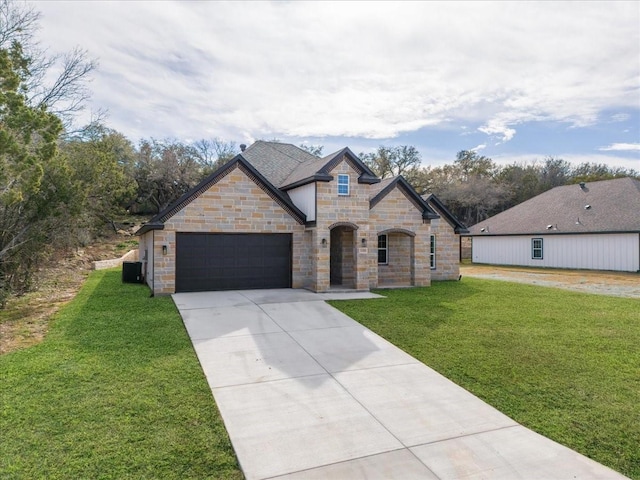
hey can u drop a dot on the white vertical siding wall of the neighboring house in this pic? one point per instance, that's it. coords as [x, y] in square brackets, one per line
[593, 252]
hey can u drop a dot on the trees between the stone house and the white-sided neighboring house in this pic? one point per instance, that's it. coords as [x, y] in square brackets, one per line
[474, 187]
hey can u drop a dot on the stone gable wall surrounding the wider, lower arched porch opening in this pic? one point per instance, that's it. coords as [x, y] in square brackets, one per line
[397, 212]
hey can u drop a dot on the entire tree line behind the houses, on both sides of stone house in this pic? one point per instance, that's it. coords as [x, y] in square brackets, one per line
[61, 185]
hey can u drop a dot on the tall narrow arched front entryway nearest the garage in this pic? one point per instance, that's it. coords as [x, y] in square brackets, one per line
[342, 262]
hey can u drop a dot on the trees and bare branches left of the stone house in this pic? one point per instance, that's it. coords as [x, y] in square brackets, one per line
[60, 184]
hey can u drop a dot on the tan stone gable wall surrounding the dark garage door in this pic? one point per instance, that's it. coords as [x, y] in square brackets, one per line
[233, 205]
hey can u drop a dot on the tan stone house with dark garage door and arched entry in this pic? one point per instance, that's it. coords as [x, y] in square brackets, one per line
[276, 216]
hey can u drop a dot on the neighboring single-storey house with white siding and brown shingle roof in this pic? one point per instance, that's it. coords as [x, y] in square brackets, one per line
[594, 226]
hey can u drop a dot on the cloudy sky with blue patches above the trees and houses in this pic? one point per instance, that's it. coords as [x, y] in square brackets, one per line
[514, 81]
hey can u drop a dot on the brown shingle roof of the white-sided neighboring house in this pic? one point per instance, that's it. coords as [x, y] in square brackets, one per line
[597, 207]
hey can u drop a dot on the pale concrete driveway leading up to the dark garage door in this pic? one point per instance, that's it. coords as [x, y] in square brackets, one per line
[308, 393]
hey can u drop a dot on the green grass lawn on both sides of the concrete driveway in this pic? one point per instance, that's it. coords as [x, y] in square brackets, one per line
[115, 389]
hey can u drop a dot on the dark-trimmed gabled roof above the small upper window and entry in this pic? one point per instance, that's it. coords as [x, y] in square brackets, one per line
[320, 168]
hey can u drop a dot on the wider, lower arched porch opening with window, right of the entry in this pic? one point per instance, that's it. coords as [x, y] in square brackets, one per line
[396, 258]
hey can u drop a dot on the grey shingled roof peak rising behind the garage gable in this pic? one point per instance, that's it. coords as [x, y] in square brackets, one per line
[275, 160]
